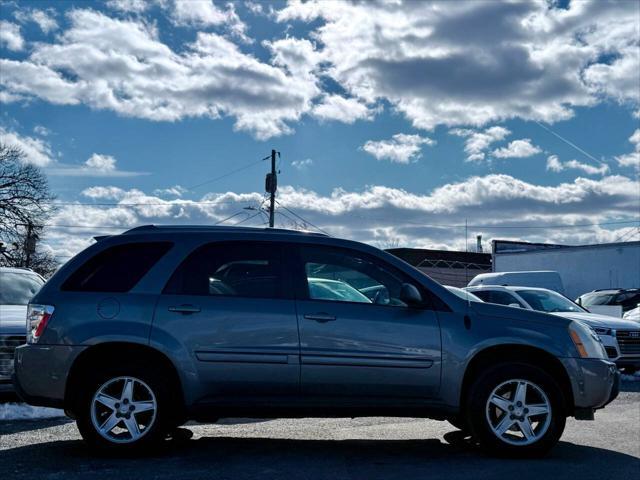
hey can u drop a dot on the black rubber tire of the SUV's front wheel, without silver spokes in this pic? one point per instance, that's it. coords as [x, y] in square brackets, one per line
[478, 420]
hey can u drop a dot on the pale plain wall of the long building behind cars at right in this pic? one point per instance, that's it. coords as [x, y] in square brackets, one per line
[582, 269]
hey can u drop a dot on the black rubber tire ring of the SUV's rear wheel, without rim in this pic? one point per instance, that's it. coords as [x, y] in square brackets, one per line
[164, 420]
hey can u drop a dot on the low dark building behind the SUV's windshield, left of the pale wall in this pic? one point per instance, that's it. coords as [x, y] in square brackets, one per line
[446, 266]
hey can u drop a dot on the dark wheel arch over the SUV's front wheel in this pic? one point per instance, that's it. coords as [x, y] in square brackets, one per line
[517, 353]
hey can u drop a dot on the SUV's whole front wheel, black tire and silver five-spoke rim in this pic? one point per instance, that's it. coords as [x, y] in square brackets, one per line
[516, 410]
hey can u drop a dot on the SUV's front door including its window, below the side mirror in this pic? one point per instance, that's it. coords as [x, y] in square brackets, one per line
[358, 339]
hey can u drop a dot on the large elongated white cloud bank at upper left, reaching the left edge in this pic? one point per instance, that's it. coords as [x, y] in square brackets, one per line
[121, 65]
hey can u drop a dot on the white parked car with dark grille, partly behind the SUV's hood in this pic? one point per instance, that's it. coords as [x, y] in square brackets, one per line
[621, 338]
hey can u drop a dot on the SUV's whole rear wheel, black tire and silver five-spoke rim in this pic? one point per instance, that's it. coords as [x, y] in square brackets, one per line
[124, 407]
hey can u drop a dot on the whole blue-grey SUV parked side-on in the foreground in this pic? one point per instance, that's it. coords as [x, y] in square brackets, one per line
[146, 330]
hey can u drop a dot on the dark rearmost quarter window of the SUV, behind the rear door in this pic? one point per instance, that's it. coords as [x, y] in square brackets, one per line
[116, 269]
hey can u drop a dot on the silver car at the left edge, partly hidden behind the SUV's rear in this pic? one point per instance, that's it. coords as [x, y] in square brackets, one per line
[17, 287]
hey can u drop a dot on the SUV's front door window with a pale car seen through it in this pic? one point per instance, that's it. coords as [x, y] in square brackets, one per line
[340, 275]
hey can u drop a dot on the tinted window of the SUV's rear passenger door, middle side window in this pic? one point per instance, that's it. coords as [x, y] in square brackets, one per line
[242, 269]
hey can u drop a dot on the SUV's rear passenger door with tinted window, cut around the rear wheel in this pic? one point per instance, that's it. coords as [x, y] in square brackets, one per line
[230, 305]
